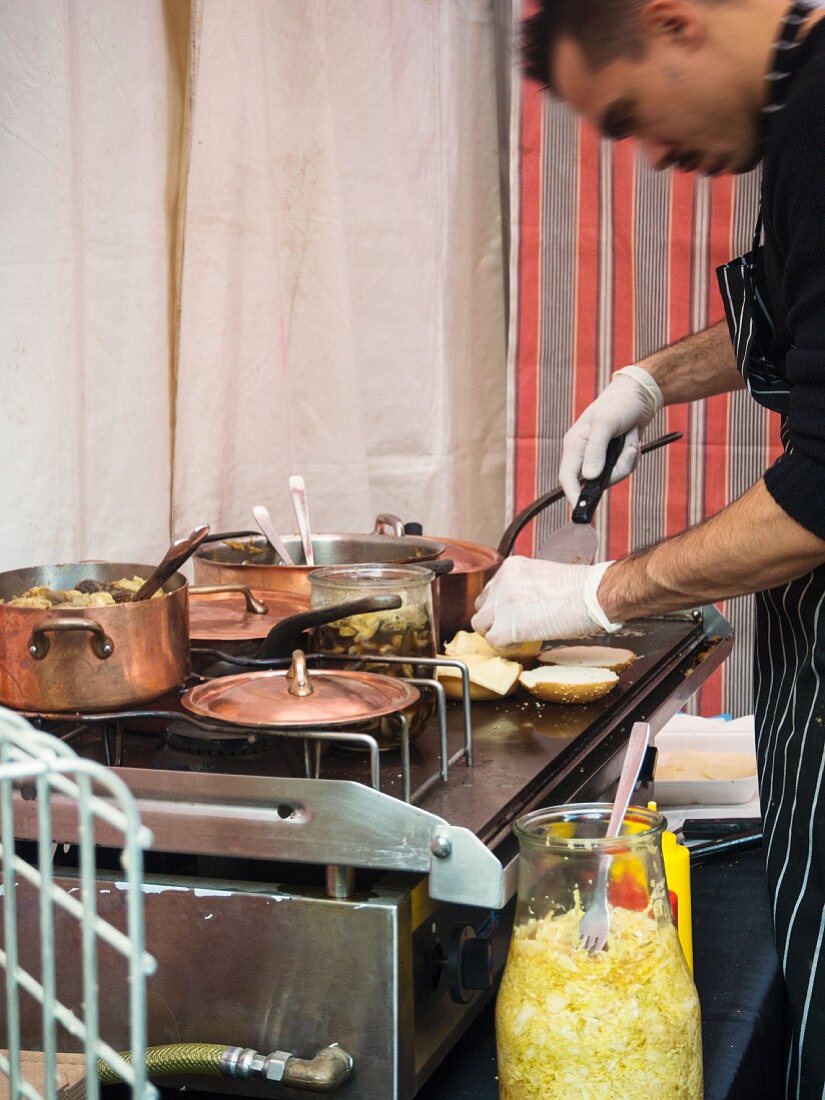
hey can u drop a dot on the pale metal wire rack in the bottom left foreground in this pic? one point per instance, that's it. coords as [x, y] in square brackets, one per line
[40, 765]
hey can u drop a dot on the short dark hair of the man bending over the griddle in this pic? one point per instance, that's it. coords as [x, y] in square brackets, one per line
[603, 29]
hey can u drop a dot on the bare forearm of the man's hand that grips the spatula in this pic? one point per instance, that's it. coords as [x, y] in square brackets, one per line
[698, 367]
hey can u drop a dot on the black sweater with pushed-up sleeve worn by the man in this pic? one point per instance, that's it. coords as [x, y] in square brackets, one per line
[794, 281]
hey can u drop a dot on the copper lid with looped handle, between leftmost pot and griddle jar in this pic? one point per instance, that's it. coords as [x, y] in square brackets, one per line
[235, 613]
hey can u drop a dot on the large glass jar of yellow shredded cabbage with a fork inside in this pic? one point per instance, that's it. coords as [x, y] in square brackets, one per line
[617, 1025]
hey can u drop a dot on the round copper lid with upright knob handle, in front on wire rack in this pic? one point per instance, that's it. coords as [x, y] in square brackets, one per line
[298, 699]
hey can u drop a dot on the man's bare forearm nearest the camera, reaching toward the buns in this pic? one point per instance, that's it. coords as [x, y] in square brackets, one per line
[750, 546]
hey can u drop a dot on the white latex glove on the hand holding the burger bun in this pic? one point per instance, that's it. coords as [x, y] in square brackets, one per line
[531, 600]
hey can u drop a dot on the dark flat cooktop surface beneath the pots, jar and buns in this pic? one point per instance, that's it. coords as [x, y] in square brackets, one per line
[523, 747]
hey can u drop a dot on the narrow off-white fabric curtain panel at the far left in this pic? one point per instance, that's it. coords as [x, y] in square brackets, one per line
[89, 117]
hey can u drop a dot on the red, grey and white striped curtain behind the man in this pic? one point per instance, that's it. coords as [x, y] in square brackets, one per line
[612, 261]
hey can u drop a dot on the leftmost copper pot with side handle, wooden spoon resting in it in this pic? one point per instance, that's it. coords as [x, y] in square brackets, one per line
[91, 658]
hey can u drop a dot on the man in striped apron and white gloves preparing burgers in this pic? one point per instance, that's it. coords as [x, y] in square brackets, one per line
[717, 86]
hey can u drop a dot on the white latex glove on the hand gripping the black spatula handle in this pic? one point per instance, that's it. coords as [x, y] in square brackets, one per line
[628, 405]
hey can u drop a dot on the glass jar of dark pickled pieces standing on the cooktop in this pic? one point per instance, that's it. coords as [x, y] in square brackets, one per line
[410, 631]
